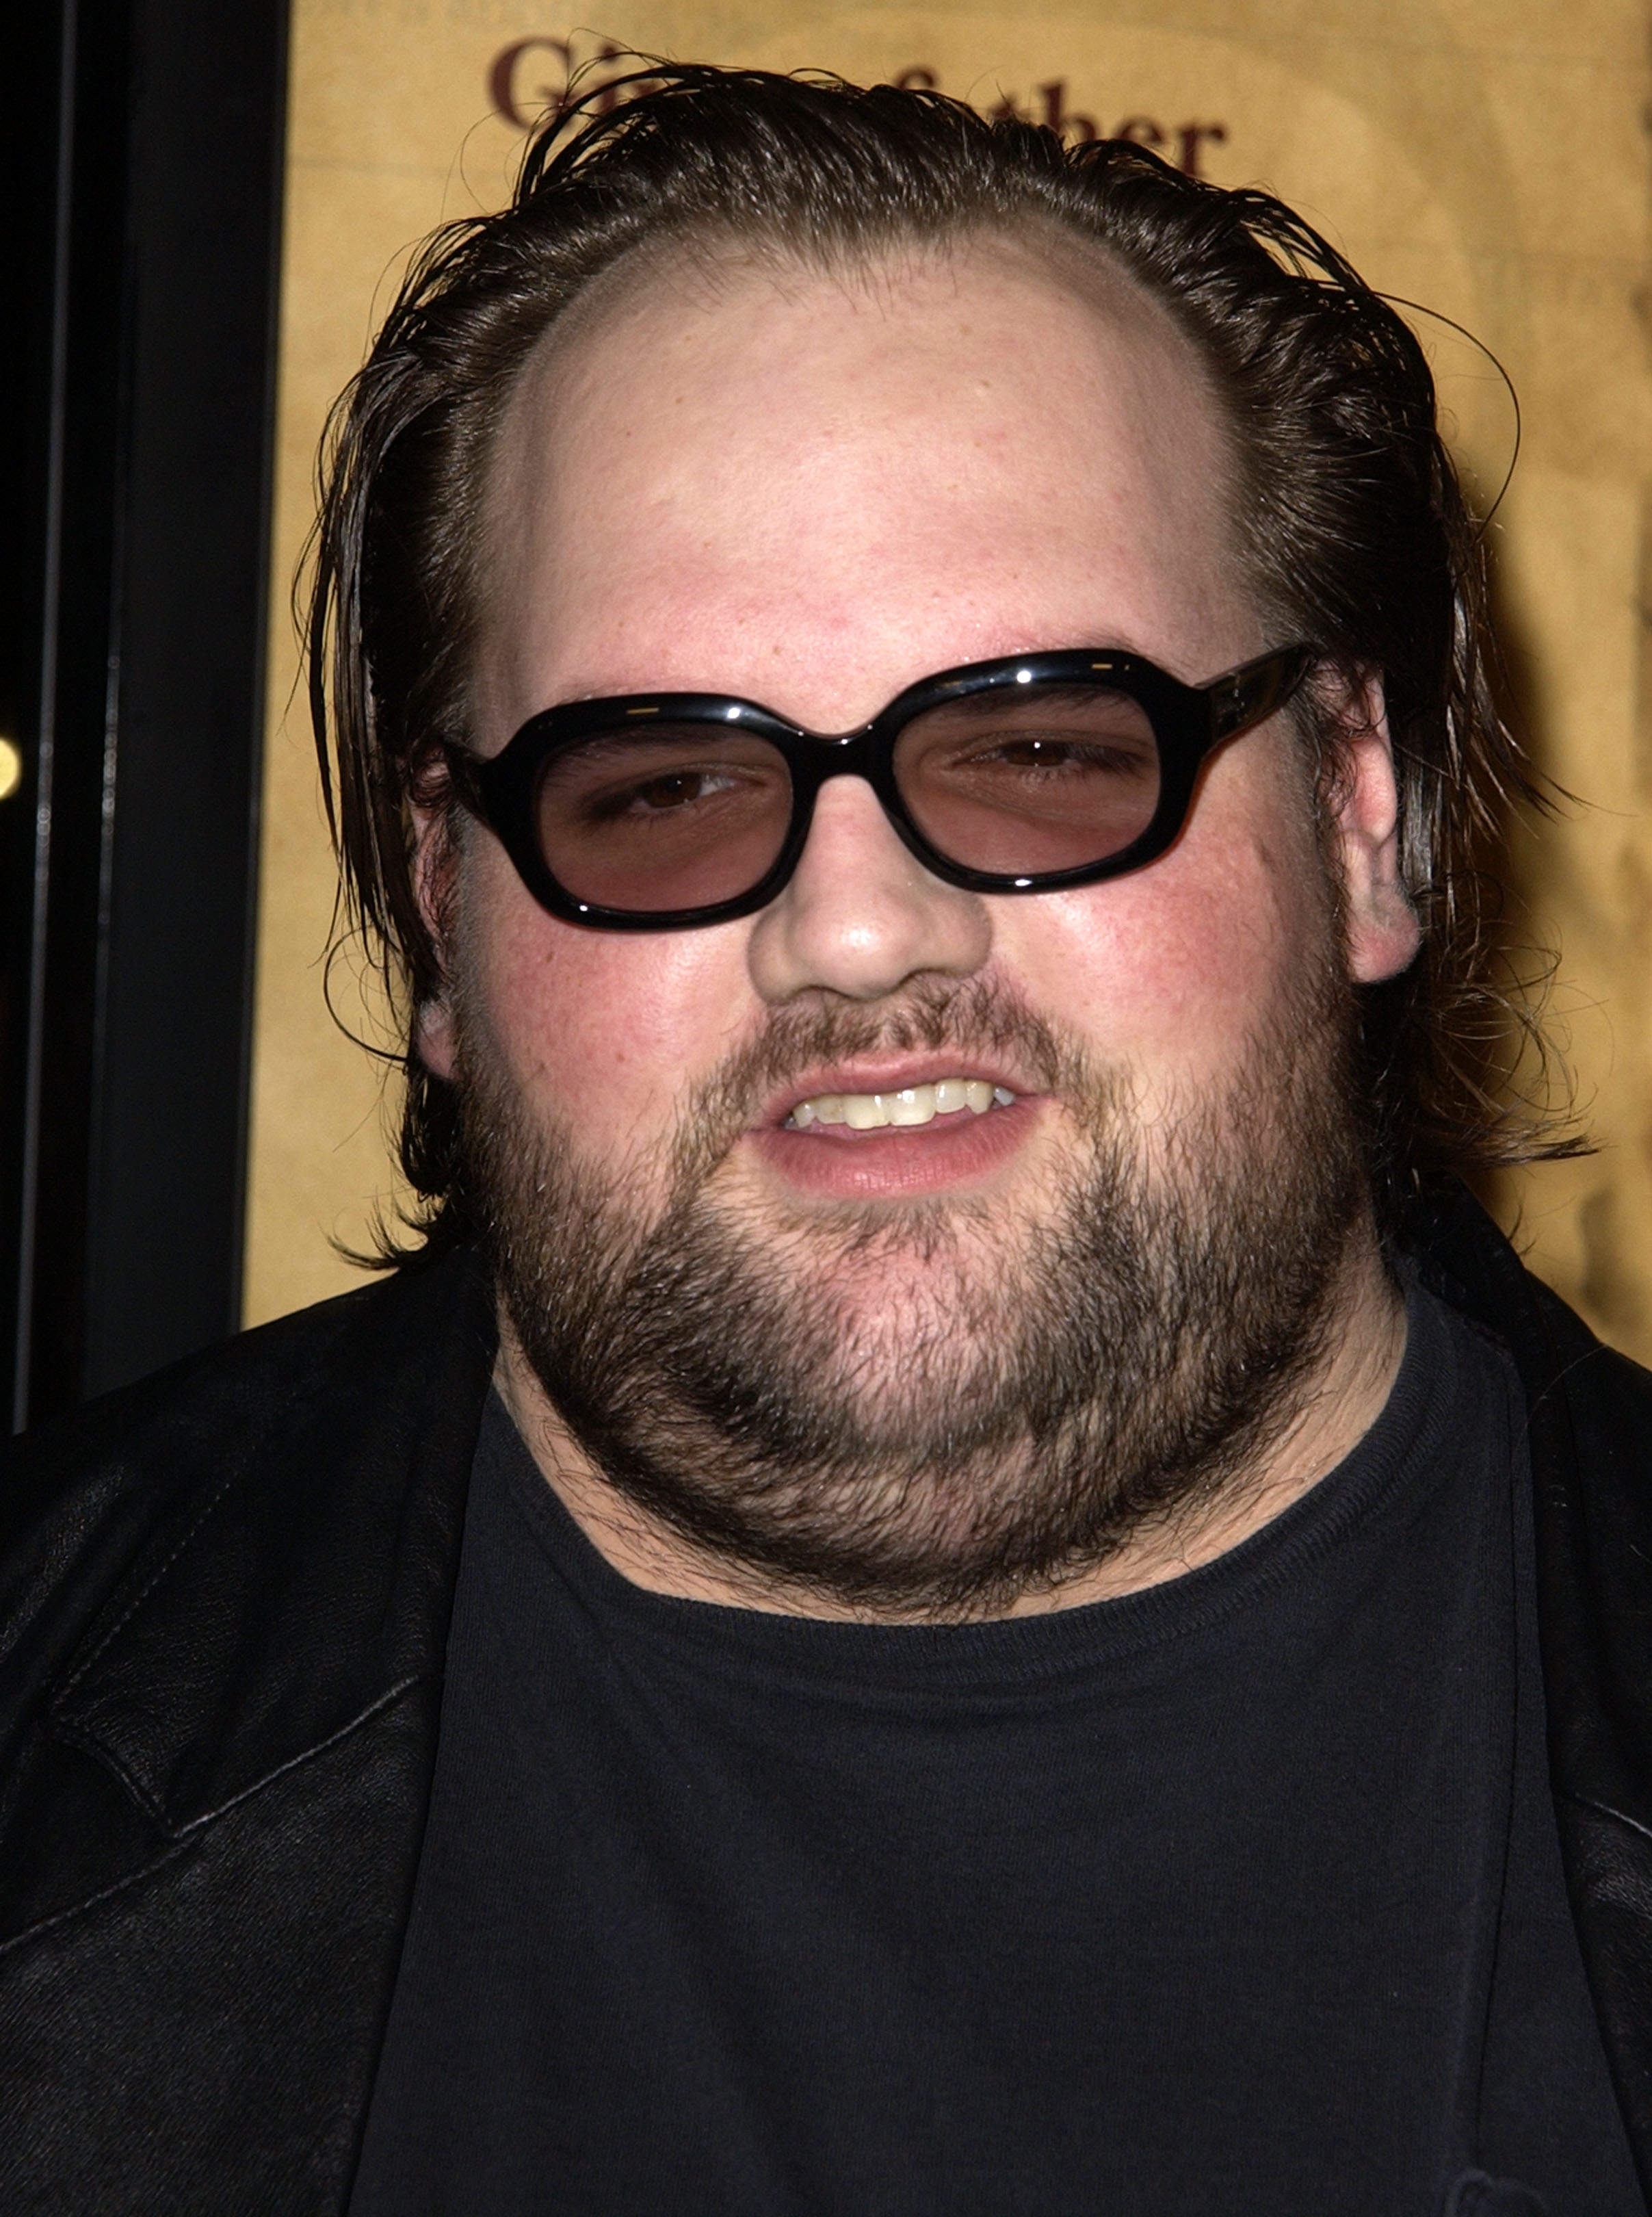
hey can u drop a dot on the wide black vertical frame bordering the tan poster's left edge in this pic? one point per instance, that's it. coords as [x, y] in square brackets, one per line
[205, 249]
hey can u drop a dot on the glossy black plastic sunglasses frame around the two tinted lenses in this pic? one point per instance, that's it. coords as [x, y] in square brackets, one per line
[1190, 722]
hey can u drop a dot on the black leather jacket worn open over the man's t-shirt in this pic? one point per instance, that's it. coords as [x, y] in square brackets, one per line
[225, 1602]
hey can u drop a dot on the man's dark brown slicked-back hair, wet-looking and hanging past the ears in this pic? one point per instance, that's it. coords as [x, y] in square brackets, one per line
[1347, 511]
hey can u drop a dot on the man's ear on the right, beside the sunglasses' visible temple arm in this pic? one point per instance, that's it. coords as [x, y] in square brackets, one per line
[1363, 801]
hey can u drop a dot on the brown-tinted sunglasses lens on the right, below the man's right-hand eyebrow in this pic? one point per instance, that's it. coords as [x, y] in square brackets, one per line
[1032, 779]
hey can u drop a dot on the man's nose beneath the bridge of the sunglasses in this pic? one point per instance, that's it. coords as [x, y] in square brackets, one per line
[861, 915]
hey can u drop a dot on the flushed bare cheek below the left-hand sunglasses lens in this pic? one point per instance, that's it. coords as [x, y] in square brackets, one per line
[600, 1028]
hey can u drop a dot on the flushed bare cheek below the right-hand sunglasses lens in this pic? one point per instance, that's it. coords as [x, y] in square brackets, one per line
[1170, 972]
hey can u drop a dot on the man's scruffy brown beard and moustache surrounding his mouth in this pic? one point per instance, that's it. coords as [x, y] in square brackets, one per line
[1050, 1382]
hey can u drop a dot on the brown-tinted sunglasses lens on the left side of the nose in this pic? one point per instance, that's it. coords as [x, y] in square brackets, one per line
[673, 817]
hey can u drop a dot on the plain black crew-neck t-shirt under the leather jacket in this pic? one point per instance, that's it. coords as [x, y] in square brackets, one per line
[1232, 1897]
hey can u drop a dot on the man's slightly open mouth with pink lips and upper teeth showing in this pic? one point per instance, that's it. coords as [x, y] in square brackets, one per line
[895, 1132]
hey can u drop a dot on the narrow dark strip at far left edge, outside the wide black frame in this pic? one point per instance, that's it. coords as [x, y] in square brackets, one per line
[63, 409]
